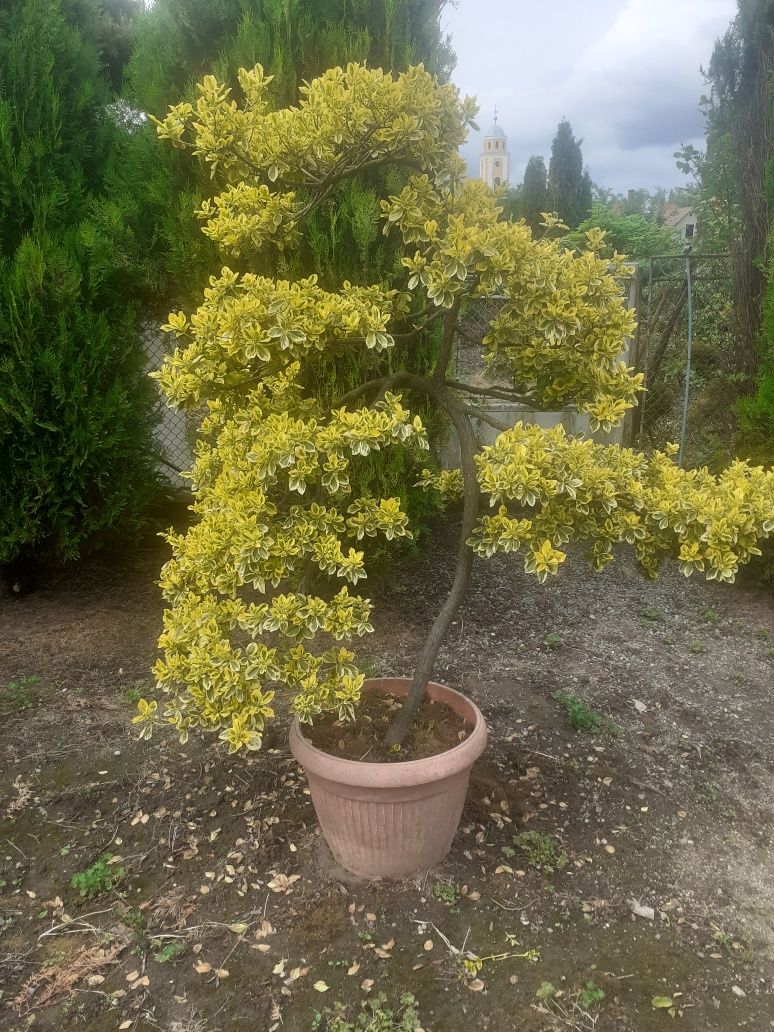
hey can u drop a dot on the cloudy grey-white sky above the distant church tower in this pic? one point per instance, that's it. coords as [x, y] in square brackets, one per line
[625, 73]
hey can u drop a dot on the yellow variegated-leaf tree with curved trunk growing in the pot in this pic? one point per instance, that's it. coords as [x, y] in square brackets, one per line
[248, 604]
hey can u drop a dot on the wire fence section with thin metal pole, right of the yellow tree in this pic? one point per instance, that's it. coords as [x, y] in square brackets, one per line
[686, 351]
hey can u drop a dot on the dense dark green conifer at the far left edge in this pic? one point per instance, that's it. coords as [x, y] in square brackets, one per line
[76, 426]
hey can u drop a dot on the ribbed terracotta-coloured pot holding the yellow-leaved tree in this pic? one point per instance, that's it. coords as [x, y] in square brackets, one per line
[395, 819]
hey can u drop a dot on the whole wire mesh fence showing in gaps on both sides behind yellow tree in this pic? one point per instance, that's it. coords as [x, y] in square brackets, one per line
[687, 374]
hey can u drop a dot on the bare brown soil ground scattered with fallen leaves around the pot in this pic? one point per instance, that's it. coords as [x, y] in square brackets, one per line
[651, 874]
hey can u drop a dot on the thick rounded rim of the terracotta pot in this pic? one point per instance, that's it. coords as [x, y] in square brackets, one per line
[401, 772]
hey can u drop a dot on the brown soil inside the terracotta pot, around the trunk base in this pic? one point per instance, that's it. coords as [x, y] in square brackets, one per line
[437, 729]
